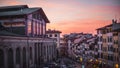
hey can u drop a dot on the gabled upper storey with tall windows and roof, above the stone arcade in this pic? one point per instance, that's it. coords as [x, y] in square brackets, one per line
[21, 19]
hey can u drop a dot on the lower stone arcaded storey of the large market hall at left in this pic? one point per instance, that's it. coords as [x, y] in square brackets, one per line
[24, 52]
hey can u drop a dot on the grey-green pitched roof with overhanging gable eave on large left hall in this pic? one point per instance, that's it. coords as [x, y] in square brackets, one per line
[6, 11]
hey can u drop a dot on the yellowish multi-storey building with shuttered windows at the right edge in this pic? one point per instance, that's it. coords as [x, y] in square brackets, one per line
[108, 44]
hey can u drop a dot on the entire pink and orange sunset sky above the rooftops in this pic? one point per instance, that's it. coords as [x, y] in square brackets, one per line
[74, 15]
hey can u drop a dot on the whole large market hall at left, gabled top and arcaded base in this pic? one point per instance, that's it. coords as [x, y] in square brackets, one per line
[23, 41]
